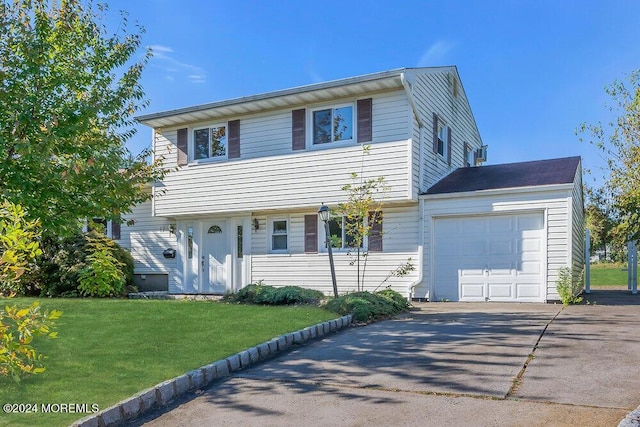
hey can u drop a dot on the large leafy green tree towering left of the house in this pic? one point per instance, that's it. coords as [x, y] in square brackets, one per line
[68, 93]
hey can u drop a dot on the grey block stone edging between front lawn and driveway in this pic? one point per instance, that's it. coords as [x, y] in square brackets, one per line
[165, 392]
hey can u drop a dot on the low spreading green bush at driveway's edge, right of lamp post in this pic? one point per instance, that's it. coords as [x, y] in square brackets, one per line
[367, 306]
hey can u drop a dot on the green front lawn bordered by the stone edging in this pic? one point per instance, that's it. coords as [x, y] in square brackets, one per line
[107, 350]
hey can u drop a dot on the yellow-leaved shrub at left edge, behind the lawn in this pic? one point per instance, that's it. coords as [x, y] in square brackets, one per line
[18, 247]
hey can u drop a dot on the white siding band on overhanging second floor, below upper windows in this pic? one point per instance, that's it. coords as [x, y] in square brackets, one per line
[303, 179]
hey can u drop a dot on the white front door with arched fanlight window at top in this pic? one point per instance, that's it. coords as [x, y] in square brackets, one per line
[215, 258]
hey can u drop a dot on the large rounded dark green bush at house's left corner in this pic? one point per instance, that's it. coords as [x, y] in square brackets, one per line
[66, 261]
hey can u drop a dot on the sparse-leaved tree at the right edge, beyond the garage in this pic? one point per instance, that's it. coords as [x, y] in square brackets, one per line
[619, 141]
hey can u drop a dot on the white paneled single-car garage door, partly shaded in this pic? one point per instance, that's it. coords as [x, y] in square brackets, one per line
[489, 258]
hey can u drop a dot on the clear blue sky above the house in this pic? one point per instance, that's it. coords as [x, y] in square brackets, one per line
[533, 70]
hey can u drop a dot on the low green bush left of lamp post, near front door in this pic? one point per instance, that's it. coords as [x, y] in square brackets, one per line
[261, 294]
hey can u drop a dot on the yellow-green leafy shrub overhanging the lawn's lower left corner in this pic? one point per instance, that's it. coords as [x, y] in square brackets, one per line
[17, 330]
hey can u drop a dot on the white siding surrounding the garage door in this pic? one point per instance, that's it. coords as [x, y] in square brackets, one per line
[555, 204]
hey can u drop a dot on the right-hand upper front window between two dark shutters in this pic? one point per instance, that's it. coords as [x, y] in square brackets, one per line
[332, 124]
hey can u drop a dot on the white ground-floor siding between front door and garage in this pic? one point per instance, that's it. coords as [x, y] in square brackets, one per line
[312, 270]
